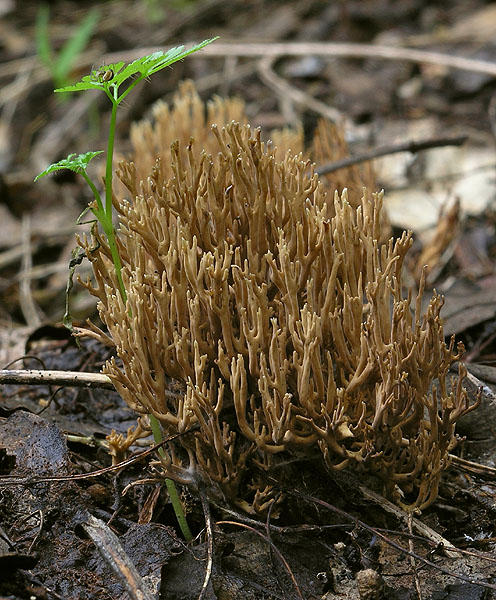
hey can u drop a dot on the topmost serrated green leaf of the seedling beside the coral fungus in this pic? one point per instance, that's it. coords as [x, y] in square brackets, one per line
[142, 68]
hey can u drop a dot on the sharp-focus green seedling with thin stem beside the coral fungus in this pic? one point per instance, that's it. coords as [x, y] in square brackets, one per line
[117, 81]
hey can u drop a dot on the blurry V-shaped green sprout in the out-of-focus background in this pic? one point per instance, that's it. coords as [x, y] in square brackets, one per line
[61, 64]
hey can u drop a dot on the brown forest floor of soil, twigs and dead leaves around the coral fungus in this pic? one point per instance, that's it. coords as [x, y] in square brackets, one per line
[74, 527]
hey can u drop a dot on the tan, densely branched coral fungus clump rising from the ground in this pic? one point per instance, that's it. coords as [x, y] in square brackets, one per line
[275, 304]
